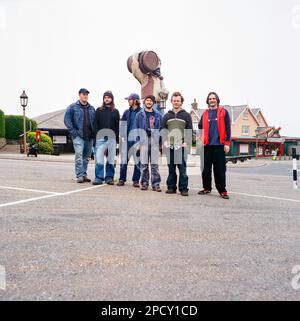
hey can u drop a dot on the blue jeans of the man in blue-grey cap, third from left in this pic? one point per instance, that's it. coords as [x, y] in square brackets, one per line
[125, 157]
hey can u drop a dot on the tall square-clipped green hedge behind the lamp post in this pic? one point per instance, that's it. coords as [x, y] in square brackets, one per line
[14, 126]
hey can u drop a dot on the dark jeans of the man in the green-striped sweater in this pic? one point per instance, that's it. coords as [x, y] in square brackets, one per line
[177, 158]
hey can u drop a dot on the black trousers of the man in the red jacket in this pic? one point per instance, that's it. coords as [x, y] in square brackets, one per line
[214, 155]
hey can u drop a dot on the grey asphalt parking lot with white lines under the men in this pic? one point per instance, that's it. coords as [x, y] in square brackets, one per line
[65, 241]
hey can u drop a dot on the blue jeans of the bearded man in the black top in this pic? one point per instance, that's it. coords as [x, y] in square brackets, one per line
[103, 146]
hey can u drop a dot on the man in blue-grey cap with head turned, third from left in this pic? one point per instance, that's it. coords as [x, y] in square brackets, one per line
[128, 141]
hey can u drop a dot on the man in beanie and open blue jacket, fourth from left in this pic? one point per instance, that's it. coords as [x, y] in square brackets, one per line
[148, 122]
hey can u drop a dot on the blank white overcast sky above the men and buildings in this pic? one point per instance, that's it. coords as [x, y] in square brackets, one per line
[246, 50]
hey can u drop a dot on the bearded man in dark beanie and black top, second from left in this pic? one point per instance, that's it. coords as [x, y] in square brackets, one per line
[106, 126]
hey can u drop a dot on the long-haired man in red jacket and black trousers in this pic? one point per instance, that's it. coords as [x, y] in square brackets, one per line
[216, 134]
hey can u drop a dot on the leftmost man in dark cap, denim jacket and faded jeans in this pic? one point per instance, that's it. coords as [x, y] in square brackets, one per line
[79, 119]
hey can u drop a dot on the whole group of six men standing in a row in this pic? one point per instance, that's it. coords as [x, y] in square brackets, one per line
[142, 133]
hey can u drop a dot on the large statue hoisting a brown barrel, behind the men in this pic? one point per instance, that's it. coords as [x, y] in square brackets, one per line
[145, 67]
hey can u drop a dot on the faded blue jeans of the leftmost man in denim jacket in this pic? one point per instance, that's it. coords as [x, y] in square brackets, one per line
[83, 150]
